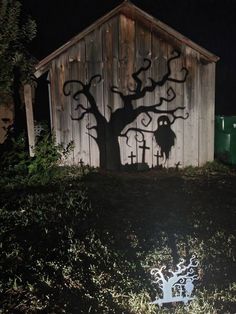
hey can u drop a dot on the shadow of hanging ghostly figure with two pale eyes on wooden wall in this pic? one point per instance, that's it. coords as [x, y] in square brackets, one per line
[164, 136]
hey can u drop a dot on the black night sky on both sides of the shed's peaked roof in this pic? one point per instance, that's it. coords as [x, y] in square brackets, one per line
[209, 23]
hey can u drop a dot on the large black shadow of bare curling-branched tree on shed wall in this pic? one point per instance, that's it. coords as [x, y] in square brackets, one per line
[108, 132]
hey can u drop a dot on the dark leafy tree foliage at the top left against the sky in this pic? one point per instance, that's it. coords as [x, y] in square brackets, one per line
[16, 31]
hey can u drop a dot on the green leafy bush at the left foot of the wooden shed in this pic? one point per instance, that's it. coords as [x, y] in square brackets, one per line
[17, 166]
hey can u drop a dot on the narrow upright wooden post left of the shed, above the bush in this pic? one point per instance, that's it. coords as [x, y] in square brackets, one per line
[28, 98]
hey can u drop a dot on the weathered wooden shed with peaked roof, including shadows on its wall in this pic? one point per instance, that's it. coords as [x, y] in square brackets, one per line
[131, 92]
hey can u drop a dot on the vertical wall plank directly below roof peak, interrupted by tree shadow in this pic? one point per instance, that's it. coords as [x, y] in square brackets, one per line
[126, 61]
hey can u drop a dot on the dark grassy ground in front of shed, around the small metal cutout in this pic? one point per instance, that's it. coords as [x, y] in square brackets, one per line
[86, 244]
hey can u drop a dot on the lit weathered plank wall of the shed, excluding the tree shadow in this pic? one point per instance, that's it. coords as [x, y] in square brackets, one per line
[115, 51]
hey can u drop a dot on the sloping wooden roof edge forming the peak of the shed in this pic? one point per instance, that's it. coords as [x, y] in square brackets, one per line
[130, 10]
